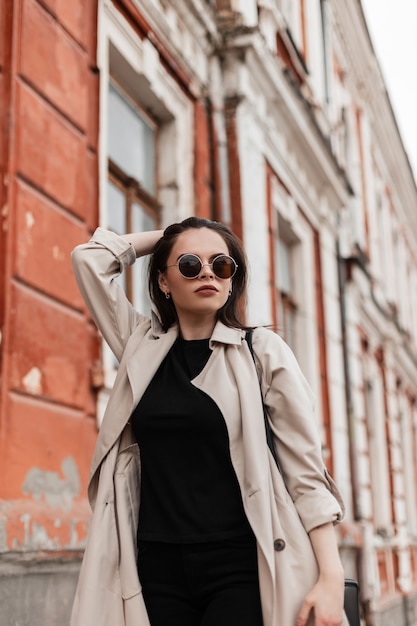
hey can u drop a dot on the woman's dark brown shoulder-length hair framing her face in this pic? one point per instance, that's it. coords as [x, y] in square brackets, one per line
[229, 313]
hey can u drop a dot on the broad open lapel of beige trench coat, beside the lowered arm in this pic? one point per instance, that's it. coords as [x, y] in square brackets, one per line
[244, 421]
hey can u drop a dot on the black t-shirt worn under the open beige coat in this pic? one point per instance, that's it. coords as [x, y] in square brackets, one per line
[189, 490]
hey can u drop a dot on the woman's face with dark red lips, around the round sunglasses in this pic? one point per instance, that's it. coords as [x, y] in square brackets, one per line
[206, 294]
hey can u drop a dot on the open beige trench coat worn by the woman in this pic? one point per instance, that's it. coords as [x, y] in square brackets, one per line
[109, 590]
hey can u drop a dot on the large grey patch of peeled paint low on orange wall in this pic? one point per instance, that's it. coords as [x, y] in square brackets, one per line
[57, 491]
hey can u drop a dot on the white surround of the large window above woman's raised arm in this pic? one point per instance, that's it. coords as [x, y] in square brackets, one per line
[175, 185]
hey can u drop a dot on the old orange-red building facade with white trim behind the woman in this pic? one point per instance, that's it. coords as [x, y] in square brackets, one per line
[271, 116]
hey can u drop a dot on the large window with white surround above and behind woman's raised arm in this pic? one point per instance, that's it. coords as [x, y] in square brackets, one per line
[146, 121]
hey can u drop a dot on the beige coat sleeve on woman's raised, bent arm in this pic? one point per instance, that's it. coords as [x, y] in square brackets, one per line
[96, 265]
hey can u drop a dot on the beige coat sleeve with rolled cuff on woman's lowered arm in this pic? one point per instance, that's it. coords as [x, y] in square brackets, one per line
[290, 406]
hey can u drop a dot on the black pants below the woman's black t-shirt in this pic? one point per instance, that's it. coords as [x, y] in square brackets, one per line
[203, 584]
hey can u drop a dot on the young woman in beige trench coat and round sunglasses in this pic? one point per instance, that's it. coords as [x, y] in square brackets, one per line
[221, 535]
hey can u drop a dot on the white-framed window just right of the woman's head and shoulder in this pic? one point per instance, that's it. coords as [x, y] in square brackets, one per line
[294, 287]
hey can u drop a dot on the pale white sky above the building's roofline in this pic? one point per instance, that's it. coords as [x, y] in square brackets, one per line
[393, 28]
